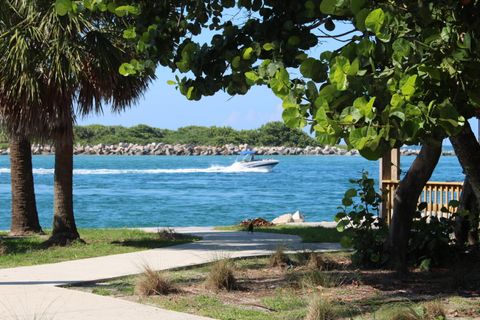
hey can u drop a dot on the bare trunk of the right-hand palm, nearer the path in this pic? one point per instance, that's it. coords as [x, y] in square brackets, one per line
[64, 227]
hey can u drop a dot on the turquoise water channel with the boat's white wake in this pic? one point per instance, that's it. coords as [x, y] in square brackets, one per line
[128, 191]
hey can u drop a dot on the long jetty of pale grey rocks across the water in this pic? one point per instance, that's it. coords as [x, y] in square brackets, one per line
[162, 149]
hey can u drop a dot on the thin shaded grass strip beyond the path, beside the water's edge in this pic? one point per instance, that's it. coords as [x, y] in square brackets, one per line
[308, 234]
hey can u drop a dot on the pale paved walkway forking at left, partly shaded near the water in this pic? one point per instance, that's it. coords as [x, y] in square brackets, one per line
[34, 293]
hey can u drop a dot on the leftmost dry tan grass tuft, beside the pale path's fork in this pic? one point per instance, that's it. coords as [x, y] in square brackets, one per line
[153, 283]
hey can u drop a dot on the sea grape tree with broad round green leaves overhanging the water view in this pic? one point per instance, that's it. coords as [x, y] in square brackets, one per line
[404, 72]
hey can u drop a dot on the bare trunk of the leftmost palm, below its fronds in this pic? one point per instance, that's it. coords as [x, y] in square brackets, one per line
[24, 209]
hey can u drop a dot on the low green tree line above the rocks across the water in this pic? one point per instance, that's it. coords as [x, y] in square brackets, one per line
[270, 134]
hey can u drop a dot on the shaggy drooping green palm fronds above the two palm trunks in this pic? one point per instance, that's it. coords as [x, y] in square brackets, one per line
[49, 64]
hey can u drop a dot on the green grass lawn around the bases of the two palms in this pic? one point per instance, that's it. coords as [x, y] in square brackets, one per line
[25, 251]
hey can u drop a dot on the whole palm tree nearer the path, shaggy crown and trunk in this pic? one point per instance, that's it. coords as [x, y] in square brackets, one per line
[75, 71]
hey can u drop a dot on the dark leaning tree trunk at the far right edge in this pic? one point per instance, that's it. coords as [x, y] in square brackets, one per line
[467, 150]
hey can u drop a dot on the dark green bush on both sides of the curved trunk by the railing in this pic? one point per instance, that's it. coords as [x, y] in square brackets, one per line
[431, 242]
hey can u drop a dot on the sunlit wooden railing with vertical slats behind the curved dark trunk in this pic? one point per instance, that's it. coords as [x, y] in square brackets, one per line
[436, 194]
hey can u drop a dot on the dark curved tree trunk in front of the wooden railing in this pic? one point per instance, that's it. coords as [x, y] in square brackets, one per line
[405, 203]
